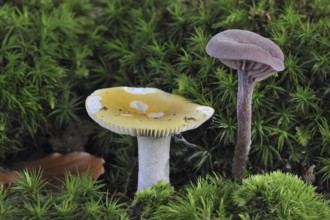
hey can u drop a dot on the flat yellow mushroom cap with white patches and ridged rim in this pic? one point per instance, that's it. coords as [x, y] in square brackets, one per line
[144, 111]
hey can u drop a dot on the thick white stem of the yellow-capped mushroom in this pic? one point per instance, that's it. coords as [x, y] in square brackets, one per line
[154, 156]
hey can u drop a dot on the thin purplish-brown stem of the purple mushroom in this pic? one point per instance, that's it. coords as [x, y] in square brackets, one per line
[244, 119]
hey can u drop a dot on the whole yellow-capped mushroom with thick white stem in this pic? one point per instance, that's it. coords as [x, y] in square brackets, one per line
[153, 116]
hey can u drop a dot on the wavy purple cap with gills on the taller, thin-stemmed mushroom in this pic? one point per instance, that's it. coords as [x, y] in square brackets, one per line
[247, 51]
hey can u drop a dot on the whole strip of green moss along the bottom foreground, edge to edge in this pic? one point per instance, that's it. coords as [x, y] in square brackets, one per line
[271, 196]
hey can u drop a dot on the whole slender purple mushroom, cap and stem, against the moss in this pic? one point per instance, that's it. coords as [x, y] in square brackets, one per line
[255, 58]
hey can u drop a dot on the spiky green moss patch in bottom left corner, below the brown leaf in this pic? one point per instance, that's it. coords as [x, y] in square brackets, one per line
[32, 197]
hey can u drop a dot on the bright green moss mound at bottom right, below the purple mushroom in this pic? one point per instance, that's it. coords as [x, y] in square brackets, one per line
[271, 196]
